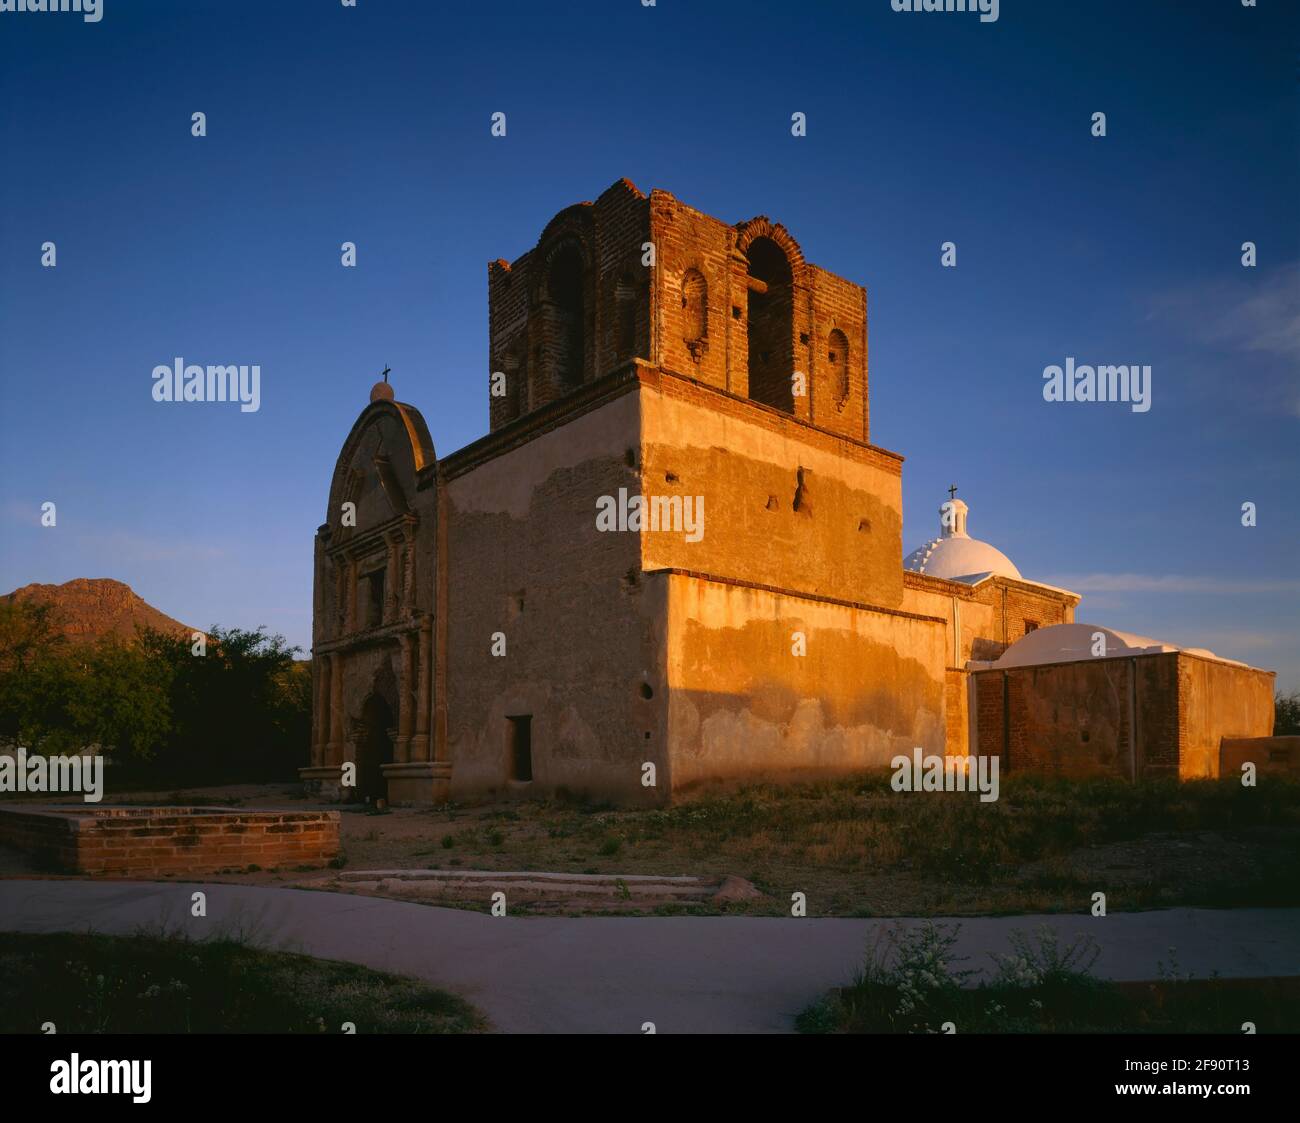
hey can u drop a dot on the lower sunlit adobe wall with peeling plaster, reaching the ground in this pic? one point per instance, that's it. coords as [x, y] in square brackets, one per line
[743, 706]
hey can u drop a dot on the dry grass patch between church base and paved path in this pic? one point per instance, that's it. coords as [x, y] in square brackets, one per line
[859, 848]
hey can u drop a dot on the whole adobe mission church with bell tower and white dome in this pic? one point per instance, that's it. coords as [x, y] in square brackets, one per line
[478, 635]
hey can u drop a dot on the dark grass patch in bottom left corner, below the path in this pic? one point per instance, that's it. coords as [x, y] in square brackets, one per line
[145, 985]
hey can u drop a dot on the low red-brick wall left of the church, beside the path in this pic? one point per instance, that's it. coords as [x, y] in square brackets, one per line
[151, 842]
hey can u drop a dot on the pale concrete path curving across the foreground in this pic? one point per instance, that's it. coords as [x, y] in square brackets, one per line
[610, 975]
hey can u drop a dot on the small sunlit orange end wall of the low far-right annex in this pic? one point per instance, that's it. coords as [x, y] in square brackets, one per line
[1219, 701]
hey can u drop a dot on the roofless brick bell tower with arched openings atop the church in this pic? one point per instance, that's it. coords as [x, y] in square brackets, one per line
[634, 279]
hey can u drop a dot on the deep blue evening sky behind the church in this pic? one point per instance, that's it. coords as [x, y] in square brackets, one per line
[371, 124]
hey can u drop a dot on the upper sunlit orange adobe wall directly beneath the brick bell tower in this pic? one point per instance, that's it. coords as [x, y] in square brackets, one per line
[786, 505]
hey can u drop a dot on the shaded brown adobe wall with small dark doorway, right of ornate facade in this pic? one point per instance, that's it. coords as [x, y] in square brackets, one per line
[584, 631]
